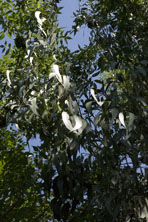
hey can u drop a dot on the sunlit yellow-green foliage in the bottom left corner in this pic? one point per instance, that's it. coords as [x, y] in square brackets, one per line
[20, 189]
